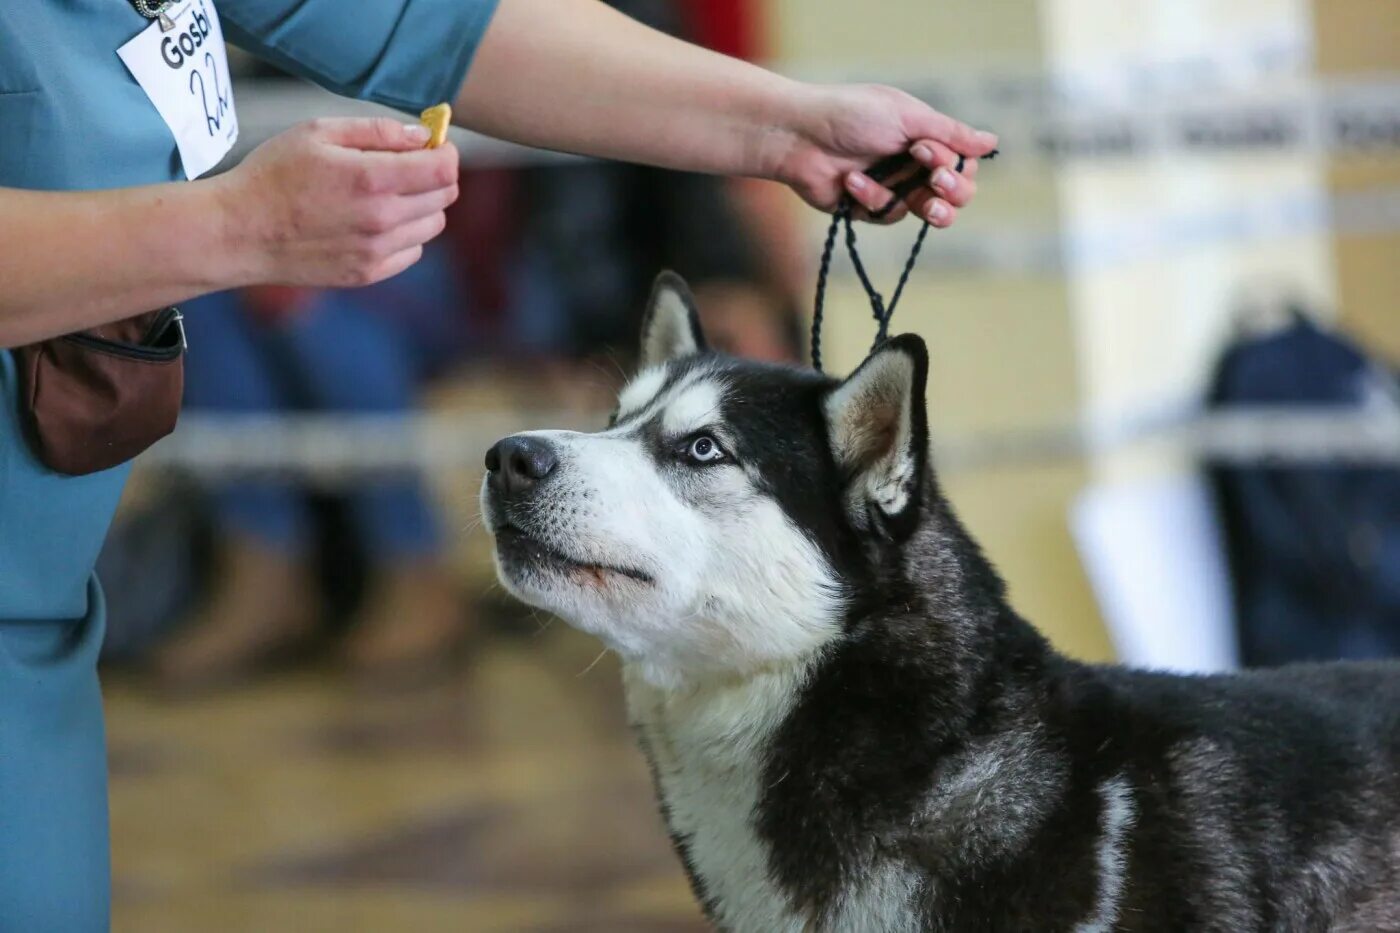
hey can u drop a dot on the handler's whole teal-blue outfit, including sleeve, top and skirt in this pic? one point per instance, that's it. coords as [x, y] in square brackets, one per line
[72, 117]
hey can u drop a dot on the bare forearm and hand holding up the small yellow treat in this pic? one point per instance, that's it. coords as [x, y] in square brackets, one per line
[327, 204]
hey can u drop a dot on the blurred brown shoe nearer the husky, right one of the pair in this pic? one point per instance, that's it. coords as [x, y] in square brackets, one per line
[411, 628]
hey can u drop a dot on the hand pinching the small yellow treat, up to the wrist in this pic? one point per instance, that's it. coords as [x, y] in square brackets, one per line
[337, 202]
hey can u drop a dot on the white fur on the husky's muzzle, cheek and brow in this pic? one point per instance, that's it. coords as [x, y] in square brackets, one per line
[736, 585]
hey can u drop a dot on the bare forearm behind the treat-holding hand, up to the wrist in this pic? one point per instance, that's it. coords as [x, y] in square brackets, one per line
[76, 260]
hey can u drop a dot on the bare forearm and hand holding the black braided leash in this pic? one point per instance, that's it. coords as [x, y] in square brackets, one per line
[579, 76]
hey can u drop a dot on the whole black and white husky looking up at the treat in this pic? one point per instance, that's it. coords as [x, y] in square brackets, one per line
[849, 726]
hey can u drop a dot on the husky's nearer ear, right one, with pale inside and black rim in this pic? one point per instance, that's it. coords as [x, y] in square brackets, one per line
[878, 428]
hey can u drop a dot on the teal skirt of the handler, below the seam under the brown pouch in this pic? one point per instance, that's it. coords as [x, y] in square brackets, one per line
[55, 865]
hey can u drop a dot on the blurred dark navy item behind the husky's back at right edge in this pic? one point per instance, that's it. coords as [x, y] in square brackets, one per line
[1314, 548]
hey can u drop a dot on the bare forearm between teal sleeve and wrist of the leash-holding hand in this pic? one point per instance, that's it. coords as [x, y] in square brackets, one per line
[579, 76]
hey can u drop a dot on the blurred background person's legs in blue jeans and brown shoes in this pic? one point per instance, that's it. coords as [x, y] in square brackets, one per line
[274, 350]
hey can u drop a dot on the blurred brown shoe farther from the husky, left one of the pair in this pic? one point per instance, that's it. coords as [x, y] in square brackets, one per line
[261, 614]
